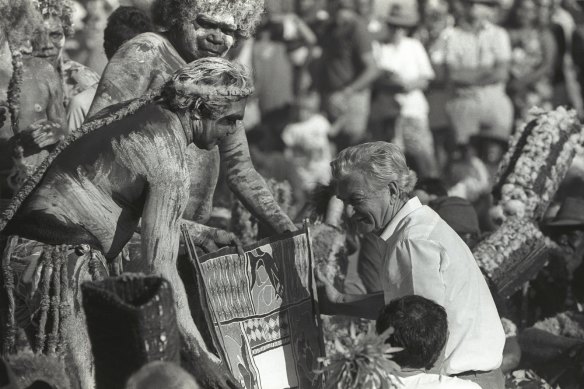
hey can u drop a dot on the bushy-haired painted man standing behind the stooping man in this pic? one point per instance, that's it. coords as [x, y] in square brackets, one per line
[195, 29]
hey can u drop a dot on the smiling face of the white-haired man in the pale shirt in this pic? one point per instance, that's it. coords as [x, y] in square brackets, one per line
[369, 207]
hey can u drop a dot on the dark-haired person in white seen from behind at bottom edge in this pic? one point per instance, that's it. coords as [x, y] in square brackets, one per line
[420, 327]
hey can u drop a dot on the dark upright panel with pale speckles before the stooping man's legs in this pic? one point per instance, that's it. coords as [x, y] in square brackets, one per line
[131, 321]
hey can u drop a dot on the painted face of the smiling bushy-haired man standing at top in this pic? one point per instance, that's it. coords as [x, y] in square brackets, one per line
[206, 36]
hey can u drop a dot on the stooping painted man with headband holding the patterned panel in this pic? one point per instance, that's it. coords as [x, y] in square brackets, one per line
[129, 163]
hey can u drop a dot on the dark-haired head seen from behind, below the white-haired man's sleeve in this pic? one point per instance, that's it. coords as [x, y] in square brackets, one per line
[420, 328]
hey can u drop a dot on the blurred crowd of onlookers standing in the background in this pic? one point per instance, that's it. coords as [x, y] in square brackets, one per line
[447, 80]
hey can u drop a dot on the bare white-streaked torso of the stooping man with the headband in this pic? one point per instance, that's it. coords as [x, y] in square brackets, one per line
[94, 191]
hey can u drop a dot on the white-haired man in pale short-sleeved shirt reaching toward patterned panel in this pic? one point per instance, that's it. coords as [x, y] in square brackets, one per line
[422, 256]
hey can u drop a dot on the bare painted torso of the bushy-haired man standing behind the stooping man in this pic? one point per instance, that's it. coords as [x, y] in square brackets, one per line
[146, 62]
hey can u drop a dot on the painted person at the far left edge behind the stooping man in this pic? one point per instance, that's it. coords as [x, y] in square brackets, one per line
[31, 100]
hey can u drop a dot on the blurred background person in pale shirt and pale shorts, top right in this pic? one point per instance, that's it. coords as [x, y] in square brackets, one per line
[475, 60]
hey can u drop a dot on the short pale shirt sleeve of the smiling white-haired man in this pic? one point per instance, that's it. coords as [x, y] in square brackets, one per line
[425, 260]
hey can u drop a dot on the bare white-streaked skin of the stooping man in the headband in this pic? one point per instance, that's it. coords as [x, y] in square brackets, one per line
[98, 195]
